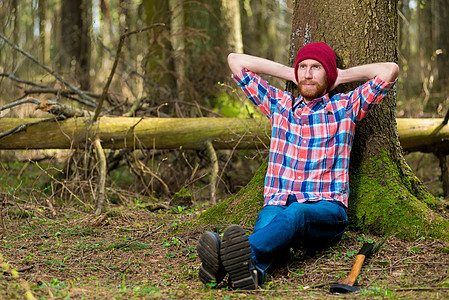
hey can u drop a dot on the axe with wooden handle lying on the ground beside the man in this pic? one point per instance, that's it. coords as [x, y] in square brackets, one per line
[347, 284]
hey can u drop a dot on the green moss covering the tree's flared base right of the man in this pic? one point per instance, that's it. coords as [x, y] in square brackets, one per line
[384, 201]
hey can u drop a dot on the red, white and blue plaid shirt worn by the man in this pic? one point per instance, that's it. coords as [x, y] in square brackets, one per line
[310, 143]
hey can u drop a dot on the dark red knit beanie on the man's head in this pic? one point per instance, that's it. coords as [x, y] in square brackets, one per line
[322, 53]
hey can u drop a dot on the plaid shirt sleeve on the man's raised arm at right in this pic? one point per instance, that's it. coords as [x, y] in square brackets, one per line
[367, 96]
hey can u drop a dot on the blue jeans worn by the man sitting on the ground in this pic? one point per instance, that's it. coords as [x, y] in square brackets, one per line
[313, 224]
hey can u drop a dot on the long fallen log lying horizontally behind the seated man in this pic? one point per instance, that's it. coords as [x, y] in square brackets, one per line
[190, 133]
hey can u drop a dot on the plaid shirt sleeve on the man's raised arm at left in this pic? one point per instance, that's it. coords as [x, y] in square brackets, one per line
[257, 89]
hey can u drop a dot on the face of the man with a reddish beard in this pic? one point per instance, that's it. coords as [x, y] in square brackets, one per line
[312, 79]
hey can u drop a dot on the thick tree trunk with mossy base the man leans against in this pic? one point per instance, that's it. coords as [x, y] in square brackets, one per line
[386, 197]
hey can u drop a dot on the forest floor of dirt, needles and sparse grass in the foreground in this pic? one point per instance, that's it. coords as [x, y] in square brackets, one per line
[131, 252]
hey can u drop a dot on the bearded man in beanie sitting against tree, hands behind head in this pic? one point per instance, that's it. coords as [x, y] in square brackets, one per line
[307, 182]
